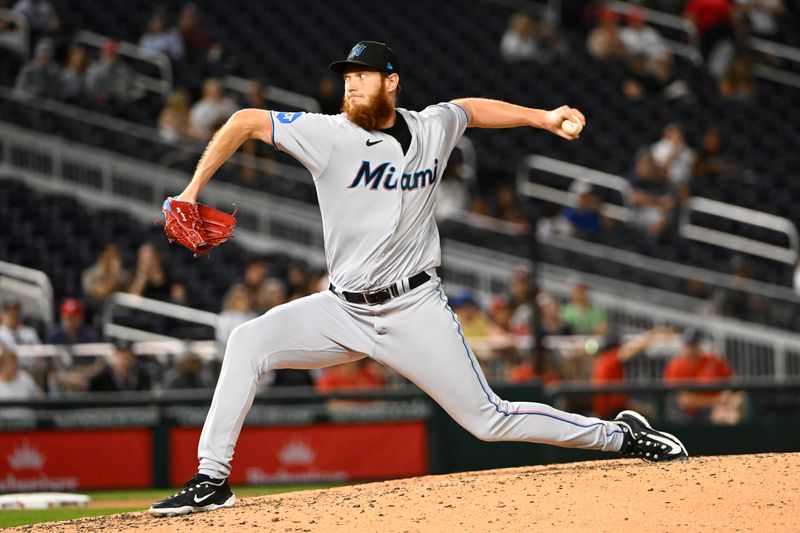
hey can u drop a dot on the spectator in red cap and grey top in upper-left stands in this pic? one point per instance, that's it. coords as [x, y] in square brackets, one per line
[110, 79]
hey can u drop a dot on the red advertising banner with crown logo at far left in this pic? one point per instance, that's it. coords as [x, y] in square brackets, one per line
[55, 460]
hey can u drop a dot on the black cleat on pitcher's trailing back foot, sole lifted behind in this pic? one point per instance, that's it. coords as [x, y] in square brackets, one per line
[646, 443]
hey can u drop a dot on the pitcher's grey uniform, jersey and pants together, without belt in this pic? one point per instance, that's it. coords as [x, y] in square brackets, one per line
[377, 210]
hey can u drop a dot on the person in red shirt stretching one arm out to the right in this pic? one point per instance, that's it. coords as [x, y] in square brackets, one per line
[608, 368]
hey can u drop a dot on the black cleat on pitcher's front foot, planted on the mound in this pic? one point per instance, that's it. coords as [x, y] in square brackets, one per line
[201, 493]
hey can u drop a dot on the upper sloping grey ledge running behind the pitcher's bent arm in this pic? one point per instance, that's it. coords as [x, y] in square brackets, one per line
[150, 134]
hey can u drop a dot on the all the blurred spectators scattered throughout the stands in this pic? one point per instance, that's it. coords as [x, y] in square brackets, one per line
[663, 173]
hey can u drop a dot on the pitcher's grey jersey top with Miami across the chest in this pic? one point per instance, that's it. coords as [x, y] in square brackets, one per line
[377, 203]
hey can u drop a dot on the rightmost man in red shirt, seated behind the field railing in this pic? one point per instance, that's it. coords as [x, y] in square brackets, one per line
[695, 365]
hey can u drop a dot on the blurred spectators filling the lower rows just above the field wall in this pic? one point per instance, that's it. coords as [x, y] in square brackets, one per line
[496, 330]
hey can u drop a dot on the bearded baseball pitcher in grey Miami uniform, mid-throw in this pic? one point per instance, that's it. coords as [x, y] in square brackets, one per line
[377, 169]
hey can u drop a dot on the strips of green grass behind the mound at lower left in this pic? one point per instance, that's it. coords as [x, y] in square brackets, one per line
[12, 518]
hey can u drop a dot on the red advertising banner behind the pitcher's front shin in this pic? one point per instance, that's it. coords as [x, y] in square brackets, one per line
[318, 453]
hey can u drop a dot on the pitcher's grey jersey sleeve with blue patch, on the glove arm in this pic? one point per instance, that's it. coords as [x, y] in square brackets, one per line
[308, 137]
